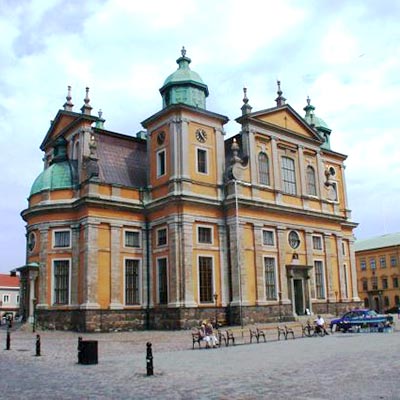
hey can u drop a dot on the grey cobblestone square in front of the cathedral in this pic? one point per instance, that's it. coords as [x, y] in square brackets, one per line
[338, 366]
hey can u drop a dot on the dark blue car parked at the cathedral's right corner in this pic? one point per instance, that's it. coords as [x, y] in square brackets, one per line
[361, 318]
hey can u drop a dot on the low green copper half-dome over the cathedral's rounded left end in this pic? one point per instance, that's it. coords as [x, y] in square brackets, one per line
[57, 176]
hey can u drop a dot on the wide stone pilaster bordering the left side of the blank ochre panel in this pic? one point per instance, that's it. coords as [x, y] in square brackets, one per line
[90, 270]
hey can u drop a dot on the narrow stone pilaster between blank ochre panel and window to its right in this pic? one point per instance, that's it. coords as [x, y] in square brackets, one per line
[116, 270]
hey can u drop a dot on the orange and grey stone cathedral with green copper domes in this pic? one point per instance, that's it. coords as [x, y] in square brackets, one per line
[181, 223]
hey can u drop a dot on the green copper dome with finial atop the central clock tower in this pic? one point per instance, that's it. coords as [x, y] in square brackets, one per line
[184, 86]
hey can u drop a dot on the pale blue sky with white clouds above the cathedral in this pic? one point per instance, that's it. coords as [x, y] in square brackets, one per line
[345, 55]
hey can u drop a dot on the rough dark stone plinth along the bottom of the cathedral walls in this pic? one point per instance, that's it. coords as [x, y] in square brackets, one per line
[173, 318]
